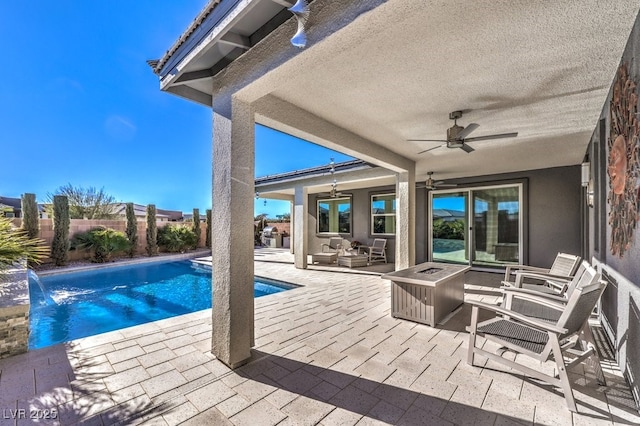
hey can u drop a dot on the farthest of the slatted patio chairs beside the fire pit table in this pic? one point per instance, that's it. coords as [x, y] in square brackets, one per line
[547, 280]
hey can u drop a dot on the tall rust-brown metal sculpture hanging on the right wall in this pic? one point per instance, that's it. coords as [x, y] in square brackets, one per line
[623, 163]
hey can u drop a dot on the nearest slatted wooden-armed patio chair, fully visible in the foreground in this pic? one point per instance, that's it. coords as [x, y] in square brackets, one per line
[569, 337]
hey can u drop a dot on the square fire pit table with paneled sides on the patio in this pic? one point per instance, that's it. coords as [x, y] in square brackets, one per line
[428, 292]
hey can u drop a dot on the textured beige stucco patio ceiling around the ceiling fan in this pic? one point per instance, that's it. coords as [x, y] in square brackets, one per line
[542, 69]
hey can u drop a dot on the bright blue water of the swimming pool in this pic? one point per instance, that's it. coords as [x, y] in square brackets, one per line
[74, 305]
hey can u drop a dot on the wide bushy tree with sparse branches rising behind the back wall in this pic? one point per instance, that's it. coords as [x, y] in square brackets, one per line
[87, 203]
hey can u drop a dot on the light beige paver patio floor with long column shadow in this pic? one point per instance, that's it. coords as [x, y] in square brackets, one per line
[327, 353]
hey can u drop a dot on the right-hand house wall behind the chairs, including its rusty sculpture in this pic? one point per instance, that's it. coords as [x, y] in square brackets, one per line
[613, 231]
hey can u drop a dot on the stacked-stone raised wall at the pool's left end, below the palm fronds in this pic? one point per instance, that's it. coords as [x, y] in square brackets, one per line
[14, 312]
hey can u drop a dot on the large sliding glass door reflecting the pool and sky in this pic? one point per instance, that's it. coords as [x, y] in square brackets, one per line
[477, 226]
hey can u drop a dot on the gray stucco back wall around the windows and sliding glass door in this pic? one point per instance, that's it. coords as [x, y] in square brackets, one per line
[551, 206]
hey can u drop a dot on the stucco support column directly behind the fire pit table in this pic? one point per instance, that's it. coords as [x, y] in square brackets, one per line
[406, 219]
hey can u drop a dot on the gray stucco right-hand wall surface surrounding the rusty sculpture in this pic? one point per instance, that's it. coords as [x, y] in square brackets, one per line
[622, 270]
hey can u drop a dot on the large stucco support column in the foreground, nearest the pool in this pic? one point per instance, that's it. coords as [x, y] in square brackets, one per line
[232, 241]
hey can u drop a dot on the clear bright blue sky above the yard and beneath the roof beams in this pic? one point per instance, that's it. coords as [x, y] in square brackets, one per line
[80, 105]
